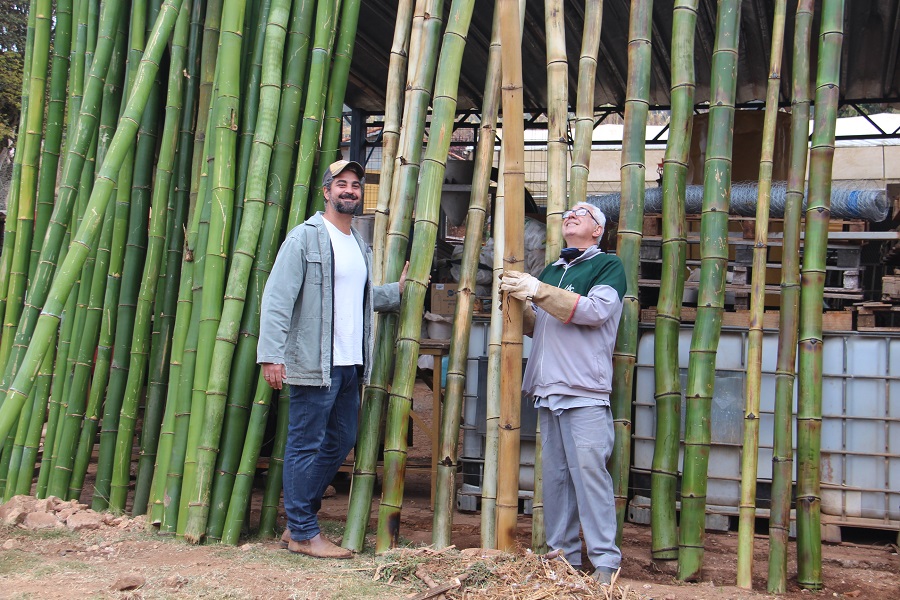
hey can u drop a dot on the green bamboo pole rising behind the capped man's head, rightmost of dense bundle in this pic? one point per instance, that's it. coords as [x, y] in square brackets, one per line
[333, 120]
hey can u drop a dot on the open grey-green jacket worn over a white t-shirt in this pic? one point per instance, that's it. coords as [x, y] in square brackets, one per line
[298, 306]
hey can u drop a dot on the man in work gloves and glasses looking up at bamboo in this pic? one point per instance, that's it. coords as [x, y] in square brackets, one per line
[577, 304]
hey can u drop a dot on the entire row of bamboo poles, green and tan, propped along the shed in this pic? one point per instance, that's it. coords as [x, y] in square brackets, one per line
[135, 254]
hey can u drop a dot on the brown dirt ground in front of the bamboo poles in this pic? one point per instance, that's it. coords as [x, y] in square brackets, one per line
[133, 562]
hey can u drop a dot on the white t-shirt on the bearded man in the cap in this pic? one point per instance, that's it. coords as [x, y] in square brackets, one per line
[349, 296]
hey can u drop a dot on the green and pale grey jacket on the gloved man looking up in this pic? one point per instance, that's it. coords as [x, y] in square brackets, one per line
[575, 358]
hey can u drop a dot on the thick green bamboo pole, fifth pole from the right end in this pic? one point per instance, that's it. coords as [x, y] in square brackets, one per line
[664, 474]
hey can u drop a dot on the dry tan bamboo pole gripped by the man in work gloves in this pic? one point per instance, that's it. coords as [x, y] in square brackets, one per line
[514, 215]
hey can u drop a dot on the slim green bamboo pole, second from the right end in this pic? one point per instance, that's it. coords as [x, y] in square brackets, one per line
[782, 451]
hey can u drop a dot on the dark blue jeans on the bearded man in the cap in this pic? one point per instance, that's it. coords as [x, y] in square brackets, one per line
[321, 432]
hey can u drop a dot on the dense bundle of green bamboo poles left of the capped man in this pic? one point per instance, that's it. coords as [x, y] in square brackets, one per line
[130, 296]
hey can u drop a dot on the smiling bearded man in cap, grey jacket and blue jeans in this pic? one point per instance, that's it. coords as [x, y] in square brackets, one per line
[316, 335]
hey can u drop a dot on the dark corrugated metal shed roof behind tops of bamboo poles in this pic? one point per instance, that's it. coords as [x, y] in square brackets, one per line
[869, 70]
